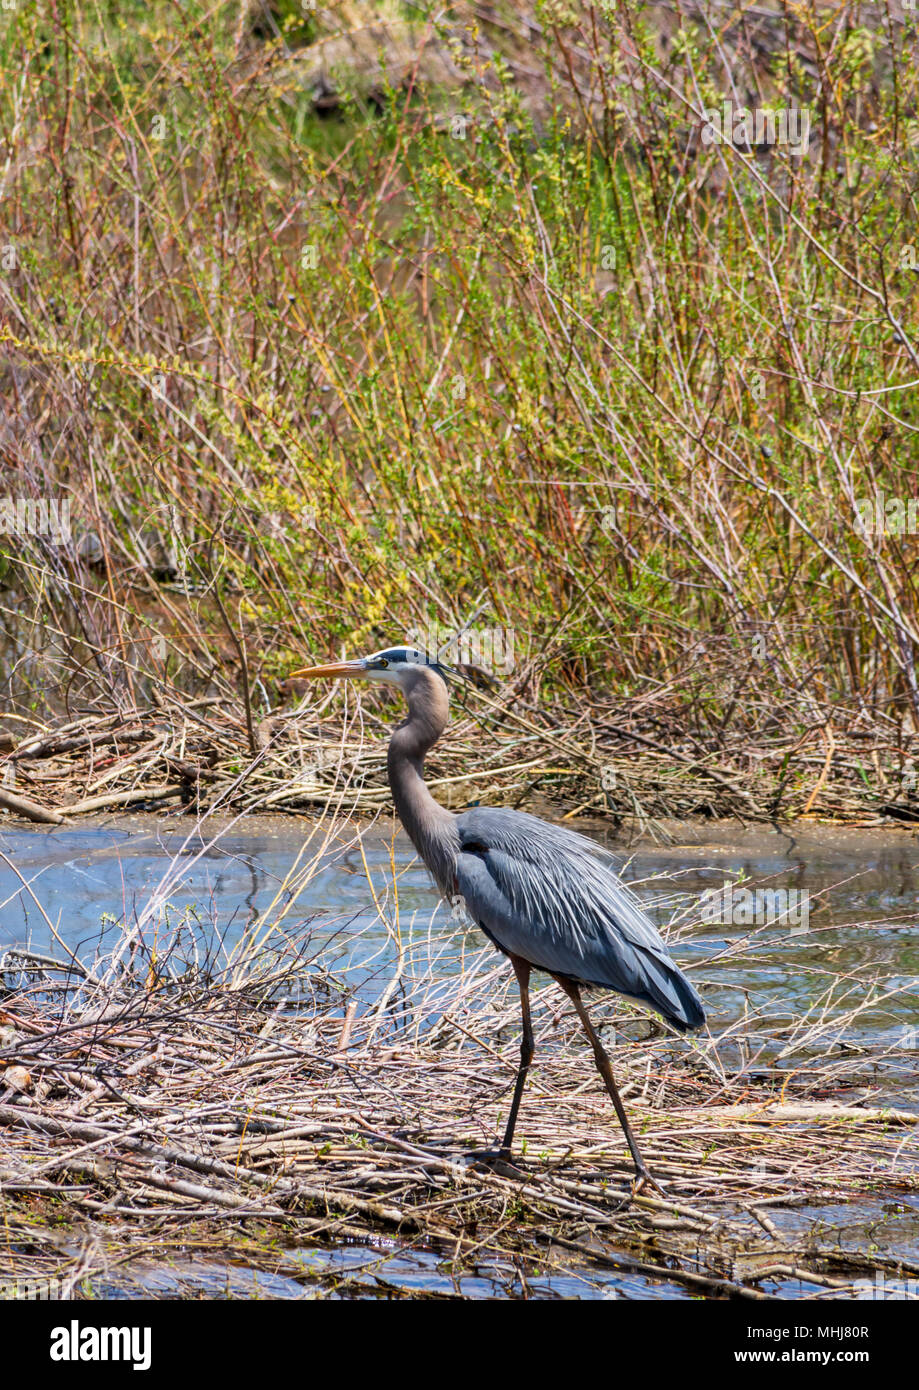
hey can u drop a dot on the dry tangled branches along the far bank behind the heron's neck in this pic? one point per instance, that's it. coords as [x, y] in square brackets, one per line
[628, 762]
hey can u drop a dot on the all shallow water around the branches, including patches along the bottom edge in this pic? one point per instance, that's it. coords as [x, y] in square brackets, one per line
[864, 900]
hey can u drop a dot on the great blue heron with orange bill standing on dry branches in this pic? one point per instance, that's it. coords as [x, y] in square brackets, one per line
[547, 897]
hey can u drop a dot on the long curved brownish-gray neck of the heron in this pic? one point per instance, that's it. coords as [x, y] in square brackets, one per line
[429, 825]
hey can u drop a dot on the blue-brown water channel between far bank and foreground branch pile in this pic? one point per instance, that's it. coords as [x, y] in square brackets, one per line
[864, 904]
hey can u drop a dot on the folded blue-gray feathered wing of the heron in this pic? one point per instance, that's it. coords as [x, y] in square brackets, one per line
[551, 897]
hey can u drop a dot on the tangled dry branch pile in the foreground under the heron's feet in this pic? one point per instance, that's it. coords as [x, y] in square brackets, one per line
[166, 1117]
